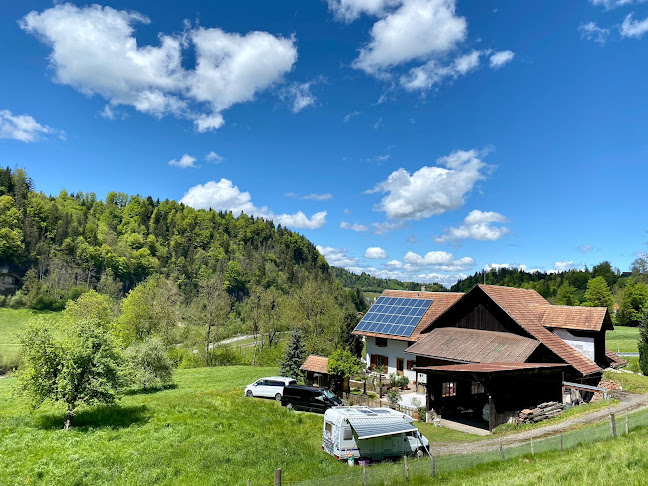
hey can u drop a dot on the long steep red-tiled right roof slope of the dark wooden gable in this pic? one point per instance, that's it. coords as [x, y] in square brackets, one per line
[519, 304]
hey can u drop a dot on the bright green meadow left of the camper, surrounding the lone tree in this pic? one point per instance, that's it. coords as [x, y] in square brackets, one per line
[204, 431]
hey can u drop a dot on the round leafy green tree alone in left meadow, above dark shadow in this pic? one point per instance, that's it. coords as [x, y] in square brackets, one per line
[75, 363]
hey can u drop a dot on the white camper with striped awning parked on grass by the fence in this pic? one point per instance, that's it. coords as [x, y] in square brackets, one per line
[370, 433]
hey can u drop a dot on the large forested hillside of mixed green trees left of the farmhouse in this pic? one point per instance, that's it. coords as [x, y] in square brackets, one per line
[209, 274]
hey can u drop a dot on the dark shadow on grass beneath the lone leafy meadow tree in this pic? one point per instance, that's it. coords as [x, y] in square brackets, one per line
[104, 416]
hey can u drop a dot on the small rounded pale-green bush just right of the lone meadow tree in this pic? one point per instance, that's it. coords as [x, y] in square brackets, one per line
[147, 365]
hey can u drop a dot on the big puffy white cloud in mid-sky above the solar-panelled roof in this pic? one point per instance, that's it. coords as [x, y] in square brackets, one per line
[431, 190]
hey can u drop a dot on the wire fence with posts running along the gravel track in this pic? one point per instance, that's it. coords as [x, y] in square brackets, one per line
[404, 469]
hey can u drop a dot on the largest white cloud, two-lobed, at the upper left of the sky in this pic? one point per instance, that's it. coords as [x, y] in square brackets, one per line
[95, 51]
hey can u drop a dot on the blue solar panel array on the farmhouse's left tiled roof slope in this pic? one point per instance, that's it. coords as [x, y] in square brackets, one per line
[397, 316]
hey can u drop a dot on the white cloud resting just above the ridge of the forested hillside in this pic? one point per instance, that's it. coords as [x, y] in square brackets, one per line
[225, 196]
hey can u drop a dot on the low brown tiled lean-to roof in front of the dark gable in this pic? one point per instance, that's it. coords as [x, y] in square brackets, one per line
[475, 346]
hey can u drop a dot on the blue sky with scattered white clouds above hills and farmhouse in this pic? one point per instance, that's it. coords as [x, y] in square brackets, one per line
[419, 139]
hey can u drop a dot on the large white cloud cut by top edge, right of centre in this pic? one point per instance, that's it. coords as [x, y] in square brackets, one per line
[418, 29]
